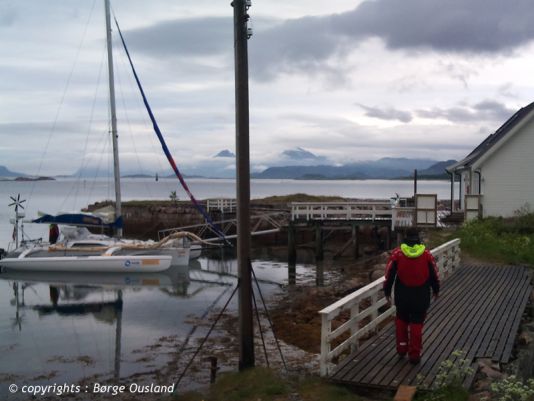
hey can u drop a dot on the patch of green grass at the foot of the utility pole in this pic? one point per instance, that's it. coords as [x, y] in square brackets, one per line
[266, 385]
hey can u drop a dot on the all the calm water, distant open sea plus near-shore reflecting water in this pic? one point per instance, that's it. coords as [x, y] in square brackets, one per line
[66, 328]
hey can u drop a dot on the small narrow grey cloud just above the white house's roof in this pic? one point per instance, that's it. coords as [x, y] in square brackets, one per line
[487, 110]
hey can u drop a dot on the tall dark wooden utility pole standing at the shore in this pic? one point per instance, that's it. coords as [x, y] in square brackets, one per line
[246, 328]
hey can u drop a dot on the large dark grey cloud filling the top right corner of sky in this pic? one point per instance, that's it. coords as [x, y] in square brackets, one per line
[452, 25]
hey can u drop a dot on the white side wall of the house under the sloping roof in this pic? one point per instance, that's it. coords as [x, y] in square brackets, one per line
[508, 175]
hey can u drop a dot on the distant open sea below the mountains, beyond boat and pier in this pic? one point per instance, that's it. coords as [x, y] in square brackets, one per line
[72, 195]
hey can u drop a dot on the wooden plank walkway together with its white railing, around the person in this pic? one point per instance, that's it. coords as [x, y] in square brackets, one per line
[478, 312]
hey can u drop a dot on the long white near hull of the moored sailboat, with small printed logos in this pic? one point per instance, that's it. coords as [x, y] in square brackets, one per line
[119, 263]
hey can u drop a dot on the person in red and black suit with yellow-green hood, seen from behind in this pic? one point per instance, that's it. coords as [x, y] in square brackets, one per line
[413, 271]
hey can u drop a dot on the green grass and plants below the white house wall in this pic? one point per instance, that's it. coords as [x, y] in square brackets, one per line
[500, 240]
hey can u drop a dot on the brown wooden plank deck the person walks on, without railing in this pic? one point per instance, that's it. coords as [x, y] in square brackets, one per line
[478, 312]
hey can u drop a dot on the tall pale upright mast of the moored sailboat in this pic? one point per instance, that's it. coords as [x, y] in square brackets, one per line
[114, 134]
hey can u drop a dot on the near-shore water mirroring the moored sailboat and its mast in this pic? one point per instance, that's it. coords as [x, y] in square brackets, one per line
[67, 327]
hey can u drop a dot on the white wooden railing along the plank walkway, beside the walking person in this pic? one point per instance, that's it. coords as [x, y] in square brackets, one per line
[359, 314]
